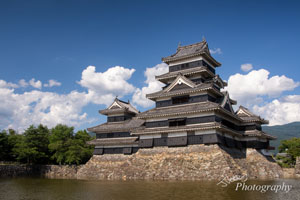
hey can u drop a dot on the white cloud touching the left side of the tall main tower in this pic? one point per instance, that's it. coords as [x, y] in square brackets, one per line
[139, 96]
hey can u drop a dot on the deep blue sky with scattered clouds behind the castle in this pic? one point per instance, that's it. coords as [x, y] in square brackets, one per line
[58, 40]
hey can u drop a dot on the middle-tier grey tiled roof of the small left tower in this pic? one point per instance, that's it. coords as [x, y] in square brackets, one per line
[122, 126]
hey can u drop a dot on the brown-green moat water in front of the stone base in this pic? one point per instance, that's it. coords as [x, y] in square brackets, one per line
[48, 189]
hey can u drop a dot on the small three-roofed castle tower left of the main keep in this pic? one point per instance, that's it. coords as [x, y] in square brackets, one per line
[113, 137]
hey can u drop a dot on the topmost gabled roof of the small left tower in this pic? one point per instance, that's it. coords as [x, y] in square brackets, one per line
[119, 106]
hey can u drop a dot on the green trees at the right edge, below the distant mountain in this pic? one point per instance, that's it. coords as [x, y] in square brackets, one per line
[292, 148]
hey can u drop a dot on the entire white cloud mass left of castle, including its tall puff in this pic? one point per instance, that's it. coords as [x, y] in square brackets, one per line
[19, 110]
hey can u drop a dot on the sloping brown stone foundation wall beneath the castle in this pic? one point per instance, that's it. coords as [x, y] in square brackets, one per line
[195, 162]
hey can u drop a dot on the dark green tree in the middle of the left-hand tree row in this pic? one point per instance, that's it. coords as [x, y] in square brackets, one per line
[34, 145]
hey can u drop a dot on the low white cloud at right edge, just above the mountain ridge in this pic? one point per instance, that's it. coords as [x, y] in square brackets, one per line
[281, 111]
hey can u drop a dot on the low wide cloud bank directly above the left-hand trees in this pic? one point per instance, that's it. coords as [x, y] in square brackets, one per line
[20, 110]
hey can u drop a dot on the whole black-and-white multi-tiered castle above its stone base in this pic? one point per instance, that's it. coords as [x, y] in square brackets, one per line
[190, 109]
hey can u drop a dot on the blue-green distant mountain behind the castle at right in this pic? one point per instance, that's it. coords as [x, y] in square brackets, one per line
[282, 132]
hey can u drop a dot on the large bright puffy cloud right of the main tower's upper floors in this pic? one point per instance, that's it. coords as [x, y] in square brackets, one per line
[249, 89]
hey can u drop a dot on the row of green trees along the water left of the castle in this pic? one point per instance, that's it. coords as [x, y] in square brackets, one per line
[39, 145]
